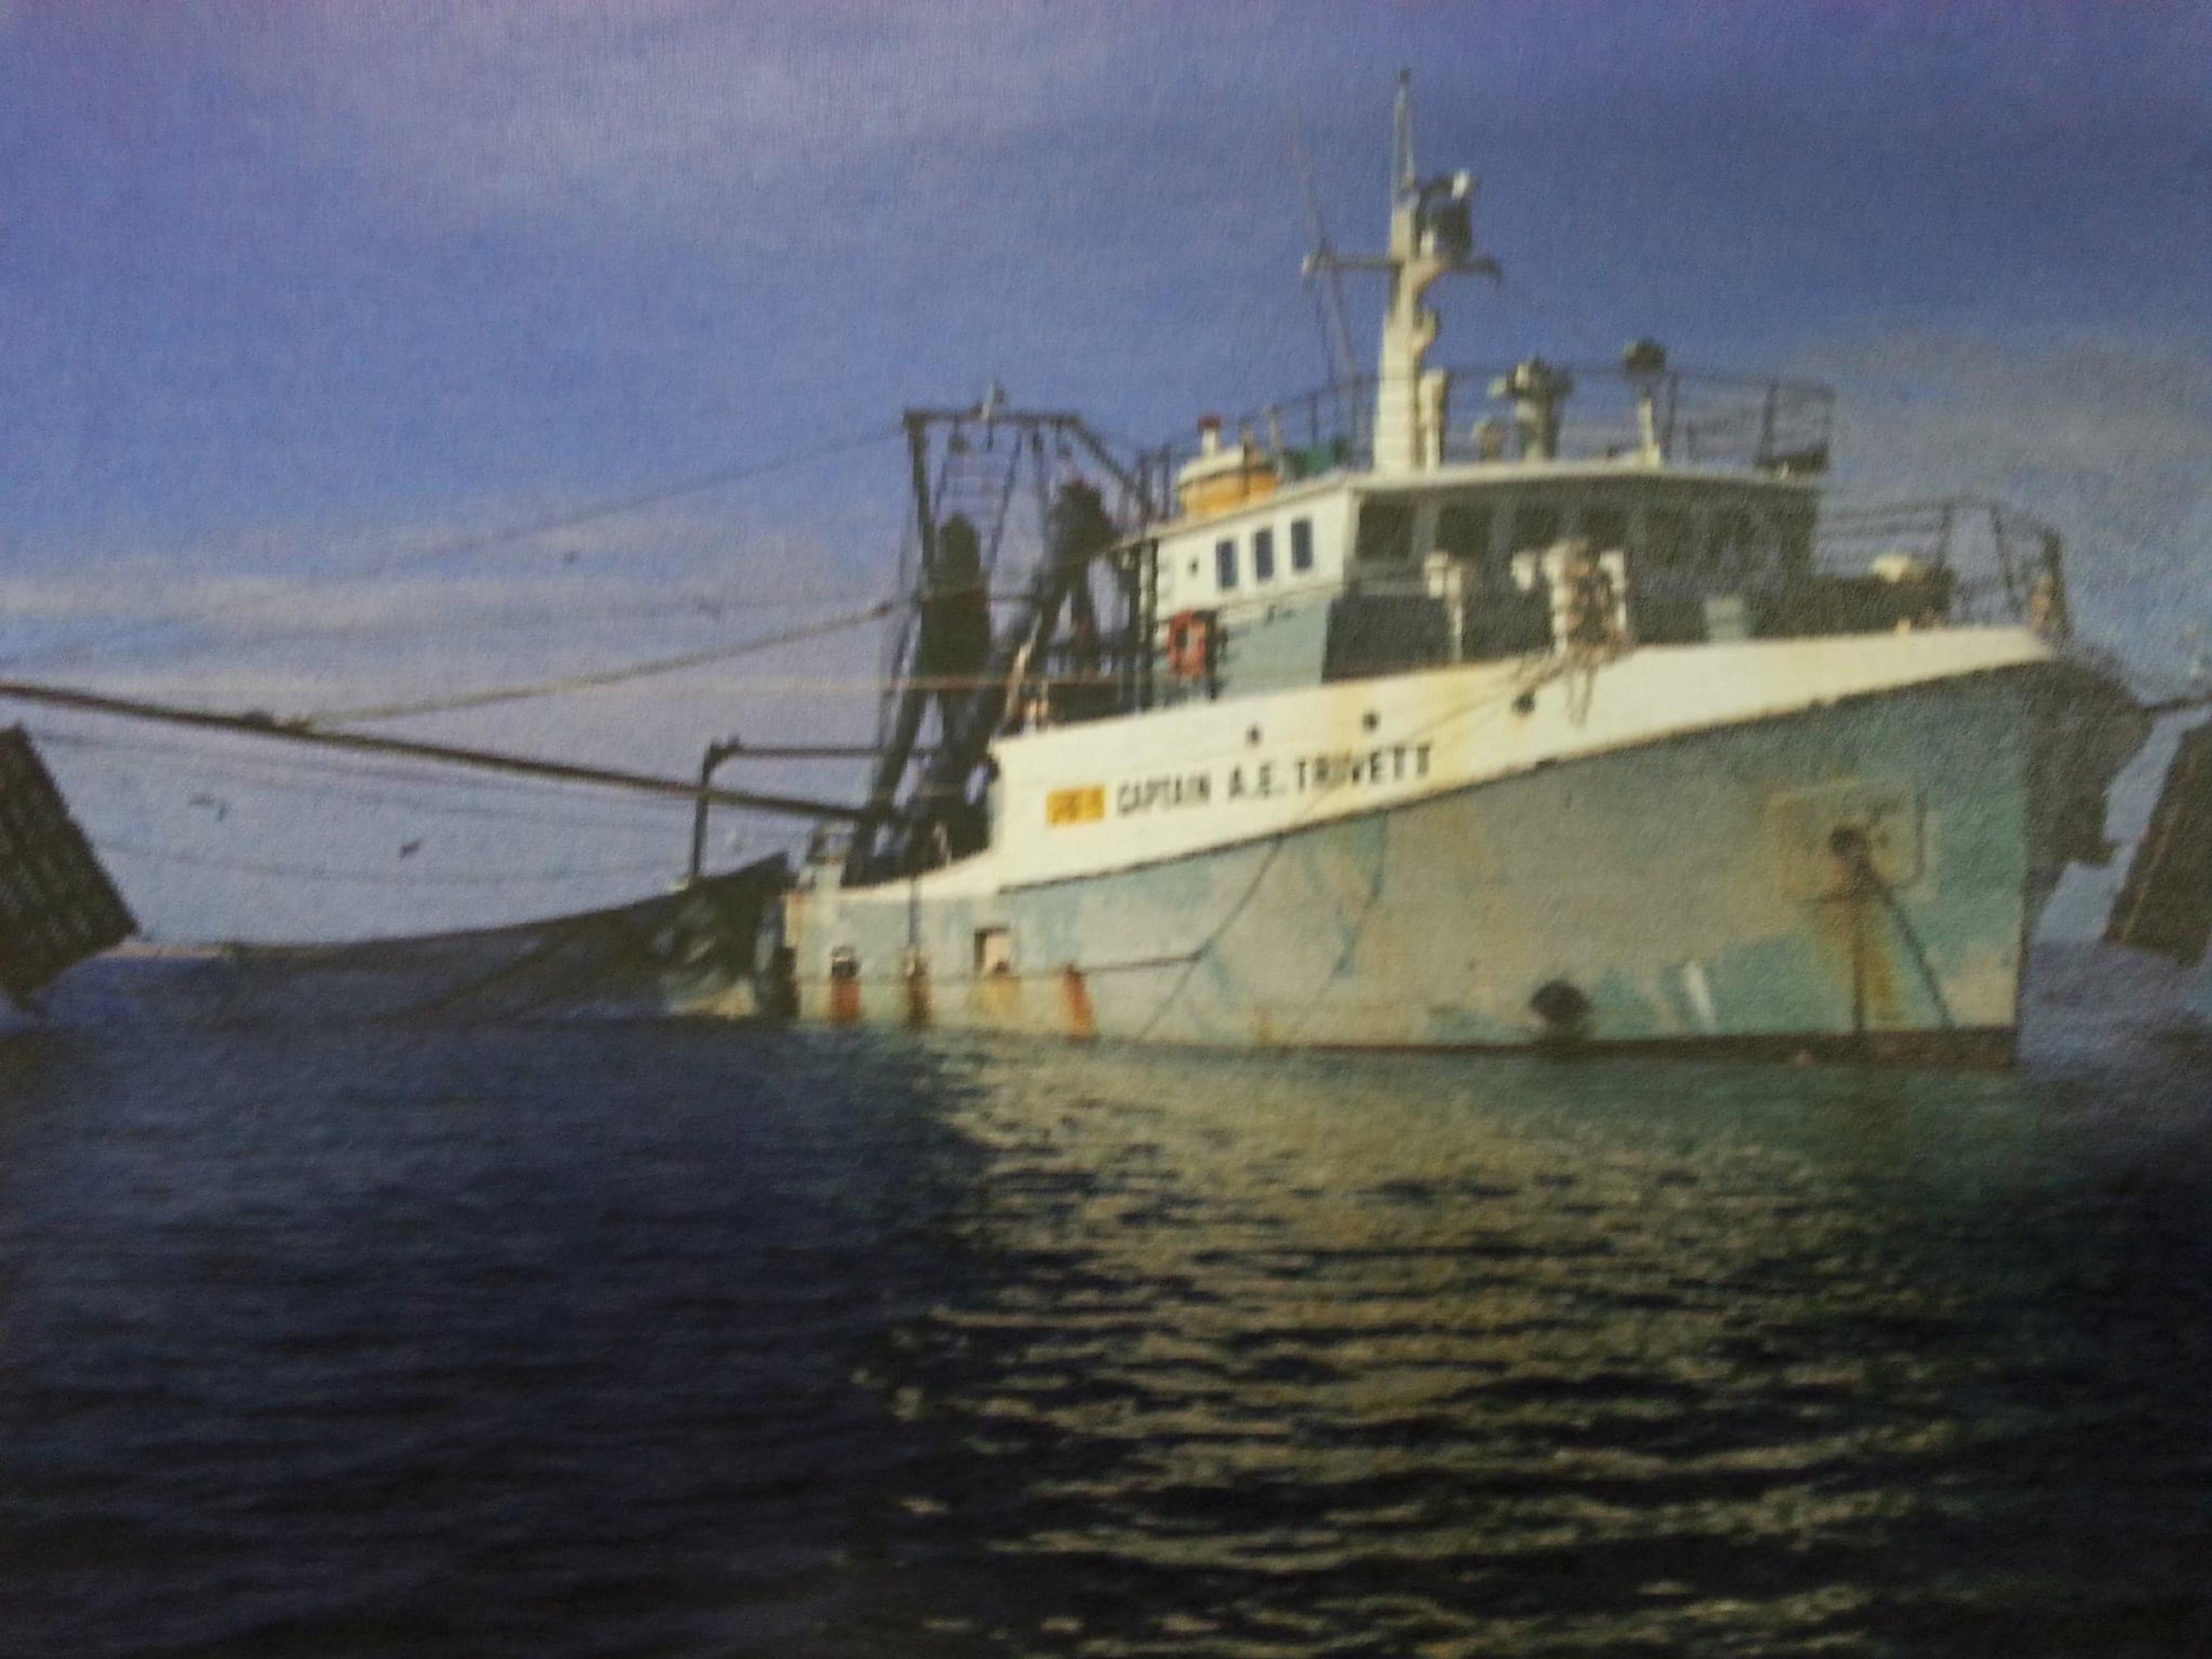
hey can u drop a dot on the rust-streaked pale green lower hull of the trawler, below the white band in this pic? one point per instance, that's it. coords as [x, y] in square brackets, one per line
[1853, 879]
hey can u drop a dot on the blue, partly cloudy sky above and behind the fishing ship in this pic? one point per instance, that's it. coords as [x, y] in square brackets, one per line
[295, 295]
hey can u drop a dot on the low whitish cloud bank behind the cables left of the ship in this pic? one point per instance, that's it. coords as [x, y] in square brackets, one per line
[253, 623]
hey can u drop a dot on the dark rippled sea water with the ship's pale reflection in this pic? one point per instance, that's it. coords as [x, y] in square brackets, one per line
[337, 1339]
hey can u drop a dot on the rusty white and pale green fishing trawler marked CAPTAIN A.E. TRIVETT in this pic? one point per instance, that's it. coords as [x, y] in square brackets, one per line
[1530, 707]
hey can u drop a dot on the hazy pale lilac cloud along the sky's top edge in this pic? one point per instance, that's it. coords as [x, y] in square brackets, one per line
[689, 114]
